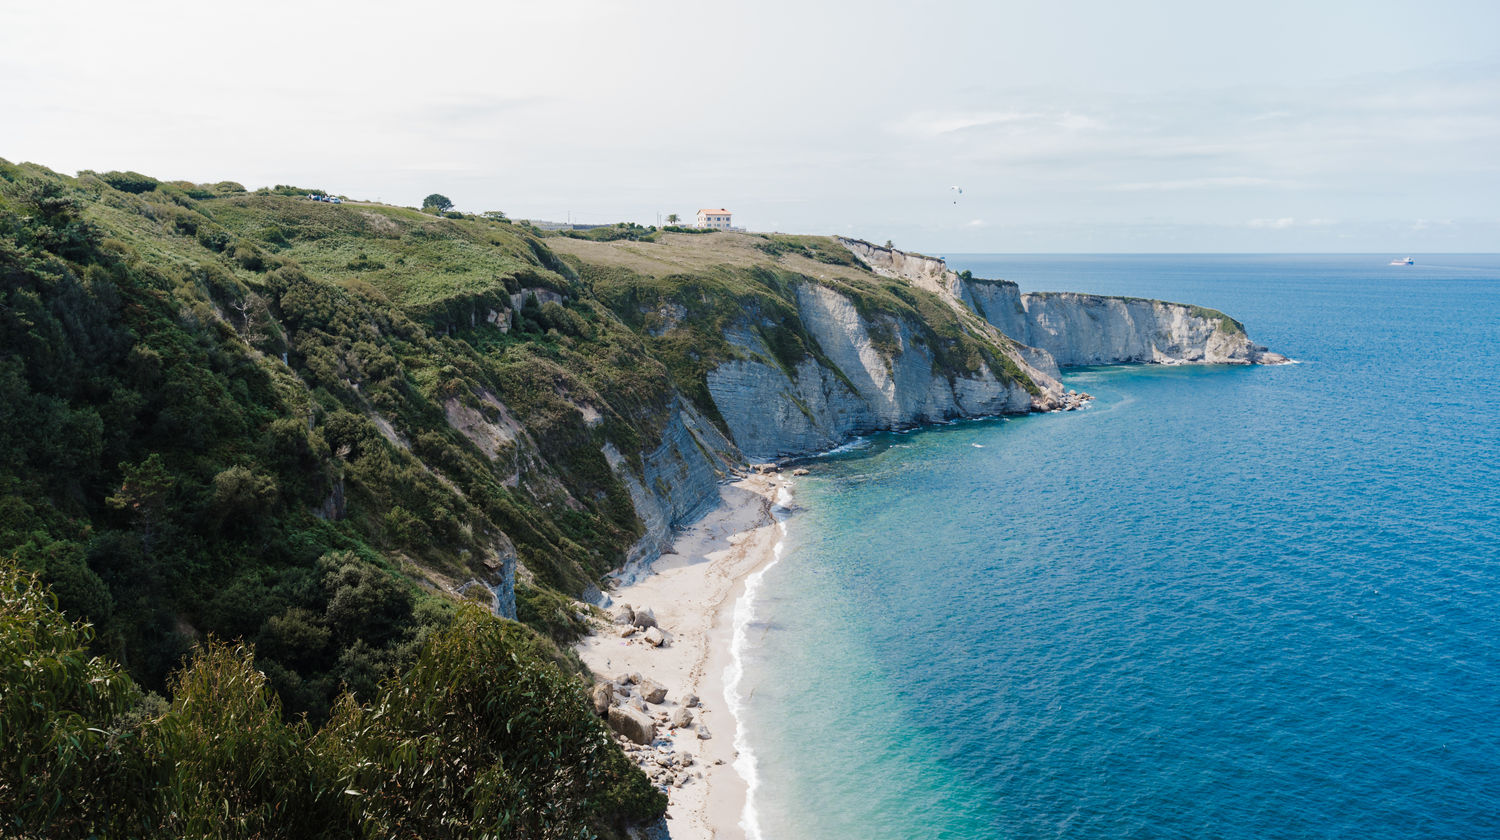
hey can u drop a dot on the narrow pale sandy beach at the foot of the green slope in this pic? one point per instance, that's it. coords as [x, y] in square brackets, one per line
[694, 590]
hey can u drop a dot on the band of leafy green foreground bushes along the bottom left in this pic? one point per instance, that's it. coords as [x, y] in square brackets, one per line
[479, 737]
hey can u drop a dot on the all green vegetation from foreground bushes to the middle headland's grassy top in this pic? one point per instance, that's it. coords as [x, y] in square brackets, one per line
[265, 442]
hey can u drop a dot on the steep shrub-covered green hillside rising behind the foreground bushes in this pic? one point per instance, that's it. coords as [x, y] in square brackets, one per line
[203, 434]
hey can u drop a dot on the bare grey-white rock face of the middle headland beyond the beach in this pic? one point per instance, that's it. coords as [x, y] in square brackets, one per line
[775, 413]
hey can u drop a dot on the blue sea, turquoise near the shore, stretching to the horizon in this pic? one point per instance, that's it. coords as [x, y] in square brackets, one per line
[1220, 604]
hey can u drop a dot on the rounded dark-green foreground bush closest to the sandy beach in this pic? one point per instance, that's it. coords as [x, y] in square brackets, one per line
[521, 749]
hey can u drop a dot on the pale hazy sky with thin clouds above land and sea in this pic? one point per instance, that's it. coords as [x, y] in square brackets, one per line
[1070, 127]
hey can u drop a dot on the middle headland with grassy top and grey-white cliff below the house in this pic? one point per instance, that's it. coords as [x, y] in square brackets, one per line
[793, 346]
